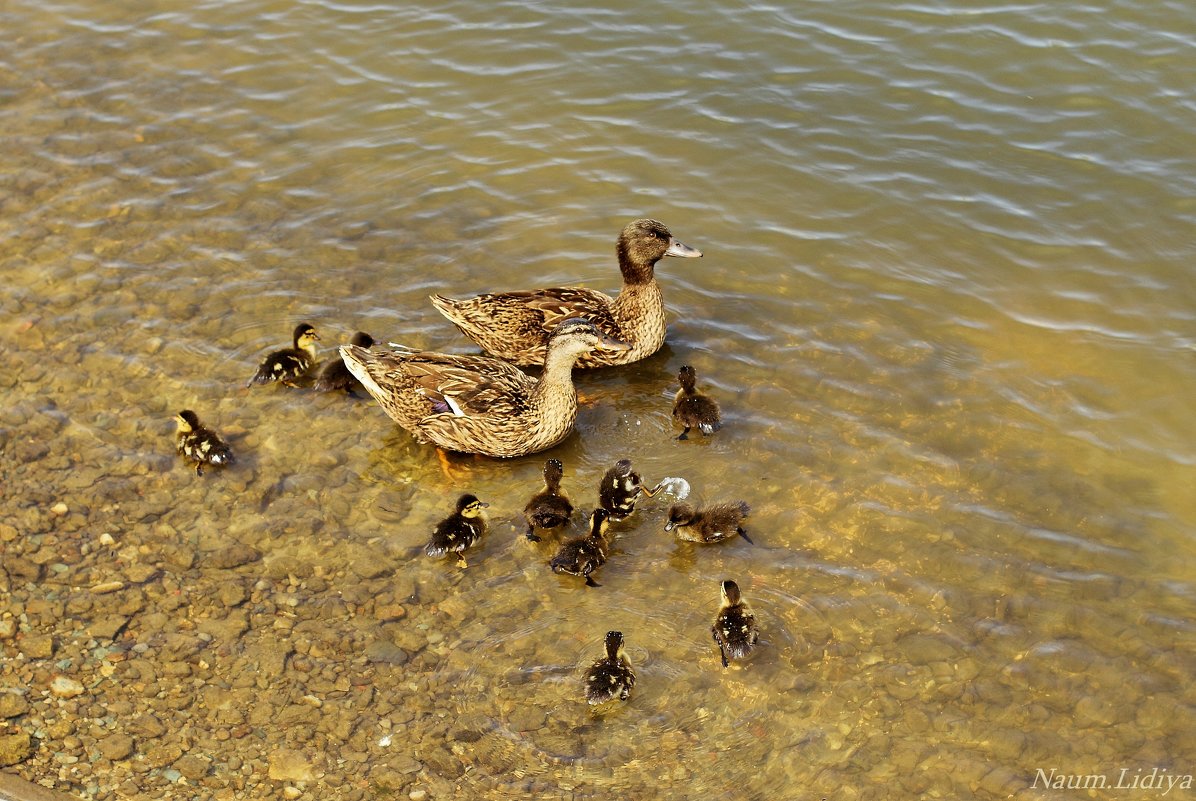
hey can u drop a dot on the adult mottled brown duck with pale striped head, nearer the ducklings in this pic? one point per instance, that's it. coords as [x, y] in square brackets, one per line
[477, 405]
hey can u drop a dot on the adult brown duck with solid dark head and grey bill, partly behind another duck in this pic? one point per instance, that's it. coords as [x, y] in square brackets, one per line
[517, 326]
